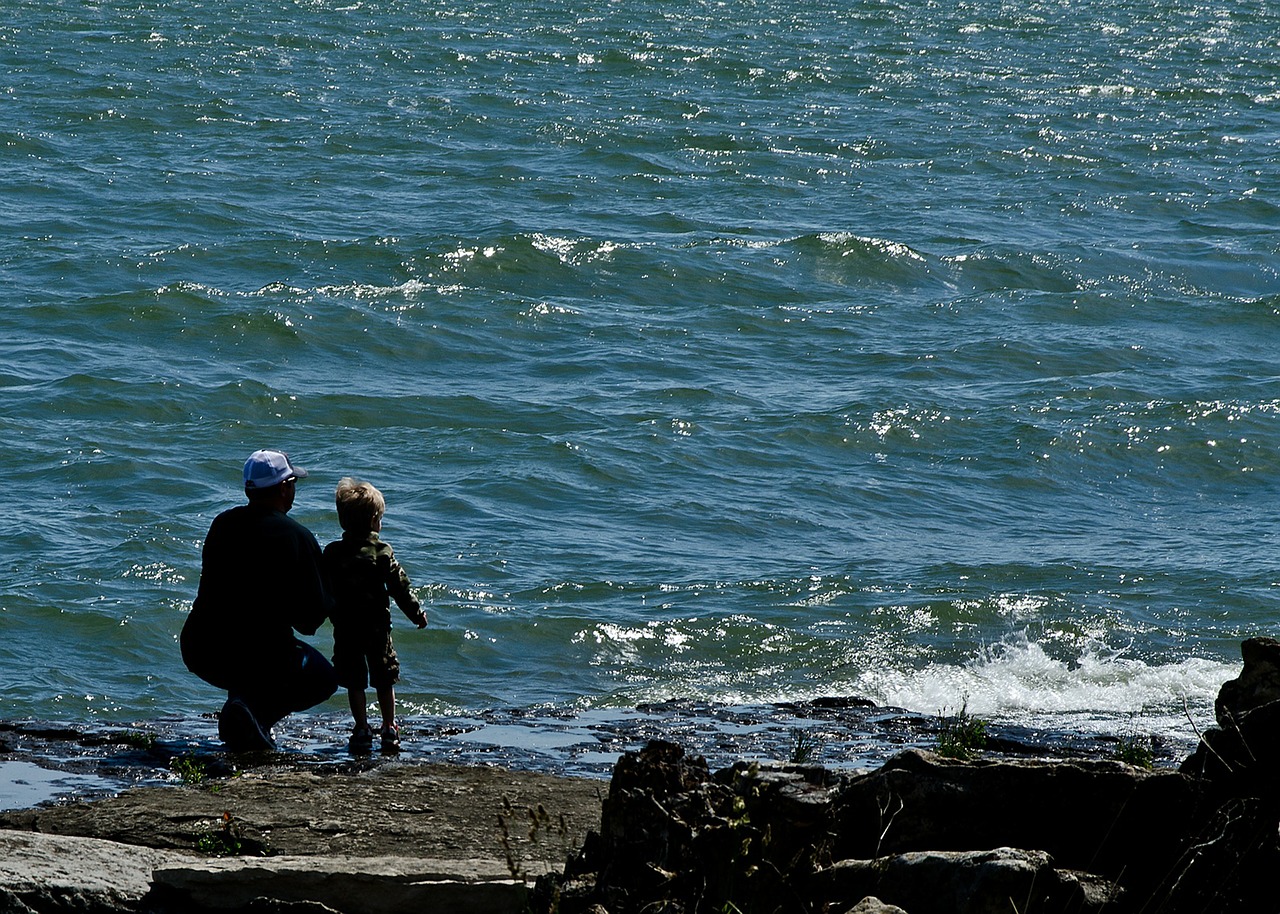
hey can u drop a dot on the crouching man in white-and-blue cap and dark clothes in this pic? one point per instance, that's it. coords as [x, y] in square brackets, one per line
[262, 579]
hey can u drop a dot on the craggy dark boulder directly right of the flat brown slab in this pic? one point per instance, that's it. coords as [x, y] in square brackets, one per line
[674, 837]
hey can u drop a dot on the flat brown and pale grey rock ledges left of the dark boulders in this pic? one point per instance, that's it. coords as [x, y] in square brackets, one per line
[404, 838]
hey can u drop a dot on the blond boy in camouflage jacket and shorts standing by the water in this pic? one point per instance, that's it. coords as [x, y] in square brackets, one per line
[365, 577]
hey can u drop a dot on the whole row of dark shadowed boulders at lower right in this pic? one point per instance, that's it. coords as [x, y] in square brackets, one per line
[931, 835]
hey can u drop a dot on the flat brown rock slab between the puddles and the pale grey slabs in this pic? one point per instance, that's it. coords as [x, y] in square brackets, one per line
[440, 812]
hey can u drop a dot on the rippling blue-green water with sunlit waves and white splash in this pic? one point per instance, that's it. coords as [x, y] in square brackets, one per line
[740, 353]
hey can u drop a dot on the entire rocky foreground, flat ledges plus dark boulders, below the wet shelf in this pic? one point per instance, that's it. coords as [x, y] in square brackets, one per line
[920, 834]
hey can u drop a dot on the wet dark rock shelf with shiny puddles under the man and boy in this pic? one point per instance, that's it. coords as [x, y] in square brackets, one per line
[52, 762]
